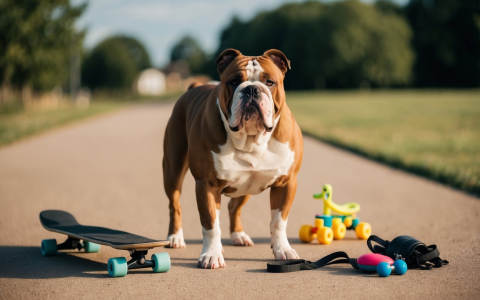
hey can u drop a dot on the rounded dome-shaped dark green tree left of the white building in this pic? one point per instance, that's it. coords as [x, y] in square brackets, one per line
[114, 63]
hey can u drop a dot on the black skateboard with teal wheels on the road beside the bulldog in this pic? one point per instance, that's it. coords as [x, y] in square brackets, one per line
[89, 238]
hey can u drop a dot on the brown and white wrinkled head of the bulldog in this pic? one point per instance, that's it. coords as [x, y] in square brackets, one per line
[251, 93]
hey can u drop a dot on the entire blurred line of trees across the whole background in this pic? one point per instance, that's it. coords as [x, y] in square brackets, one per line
[346, 44]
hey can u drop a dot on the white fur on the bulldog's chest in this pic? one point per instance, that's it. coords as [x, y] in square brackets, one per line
[251, 172]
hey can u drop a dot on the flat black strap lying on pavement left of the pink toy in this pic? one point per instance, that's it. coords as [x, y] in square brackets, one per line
[301, 264]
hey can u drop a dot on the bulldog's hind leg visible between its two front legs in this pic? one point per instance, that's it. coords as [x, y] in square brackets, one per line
[238, 236]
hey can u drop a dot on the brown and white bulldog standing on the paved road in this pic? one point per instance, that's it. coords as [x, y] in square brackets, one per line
[238, 138]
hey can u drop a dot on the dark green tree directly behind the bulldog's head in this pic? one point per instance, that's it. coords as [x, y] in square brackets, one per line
[289, 28]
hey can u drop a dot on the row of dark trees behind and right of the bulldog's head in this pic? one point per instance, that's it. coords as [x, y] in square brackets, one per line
[350, 44]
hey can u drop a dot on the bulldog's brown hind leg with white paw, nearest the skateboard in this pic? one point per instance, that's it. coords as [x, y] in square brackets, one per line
[175, 165]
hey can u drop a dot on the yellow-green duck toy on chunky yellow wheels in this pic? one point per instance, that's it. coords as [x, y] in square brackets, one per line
[329, 227]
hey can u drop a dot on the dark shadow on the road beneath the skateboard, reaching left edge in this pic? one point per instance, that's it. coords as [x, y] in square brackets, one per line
[28, 263]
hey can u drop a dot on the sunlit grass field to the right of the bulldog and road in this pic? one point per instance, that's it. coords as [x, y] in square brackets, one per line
[431, 133]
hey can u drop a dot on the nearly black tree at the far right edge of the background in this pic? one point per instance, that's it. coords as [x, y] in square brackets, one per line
[447, 42]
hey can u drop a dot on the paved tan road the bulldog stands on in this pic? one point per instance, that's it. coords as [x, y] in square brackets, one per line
[107, 171]
